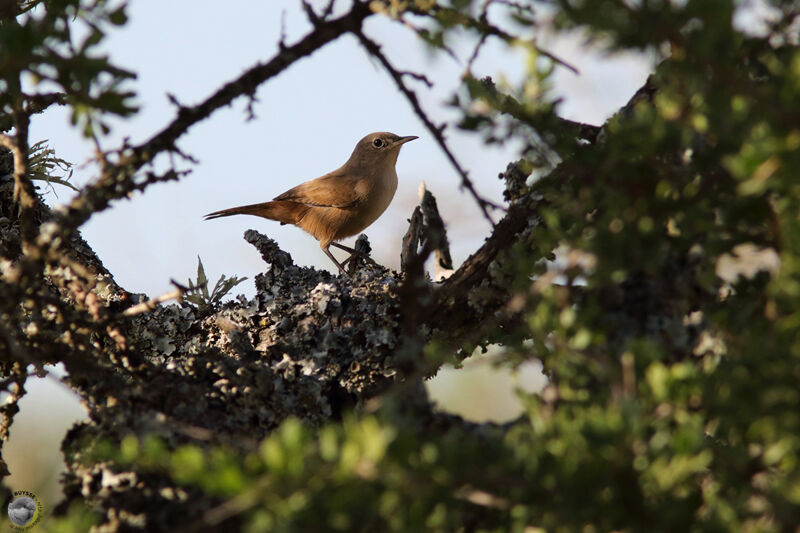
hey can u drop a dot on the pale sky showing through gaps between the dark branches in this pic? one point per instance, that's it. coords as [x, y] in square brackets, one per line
[307, 122]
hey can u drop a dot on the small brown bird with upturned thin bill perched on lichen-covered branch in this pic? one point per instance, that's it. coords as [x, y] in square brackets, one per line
[341, 203]
